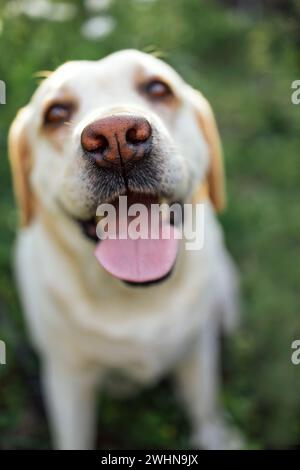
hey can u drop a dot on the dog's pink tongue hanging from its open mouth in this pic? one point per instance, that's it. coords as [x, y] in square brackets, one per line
[138, 260]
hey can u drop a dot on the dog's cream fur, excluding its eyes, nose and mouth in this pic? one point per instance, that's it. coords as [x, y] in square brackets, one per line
[85, 323]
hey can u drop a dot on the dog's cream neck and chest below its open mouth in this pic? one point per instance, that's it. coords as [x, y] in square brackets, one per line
[143, 333]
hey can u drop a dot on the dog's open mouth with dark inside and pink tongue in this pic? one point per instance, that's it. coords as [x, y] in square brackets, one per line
[137, 260]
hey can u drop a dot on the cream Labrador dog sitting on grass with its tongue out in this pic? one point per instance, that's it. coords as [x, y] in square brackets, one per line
[127, 124]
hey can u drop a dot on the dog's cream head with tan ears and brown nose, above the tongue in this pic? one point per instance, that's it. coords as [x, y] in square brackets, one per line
[95, 130]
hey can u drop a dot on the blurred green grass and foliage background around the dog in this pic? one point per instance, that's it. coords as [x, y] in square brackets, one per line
[244, 63]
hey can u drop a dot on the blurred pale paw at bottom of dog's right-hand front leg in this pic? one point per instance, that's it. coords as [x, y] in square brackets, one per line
[217, 435]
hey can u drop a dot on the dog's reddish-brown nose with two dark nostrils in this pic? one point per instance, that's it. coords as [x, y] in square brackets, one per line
[116, 140]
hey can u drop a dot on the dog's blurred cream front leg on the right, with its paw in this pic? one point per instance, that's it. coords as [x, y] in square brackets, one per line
[198, 377]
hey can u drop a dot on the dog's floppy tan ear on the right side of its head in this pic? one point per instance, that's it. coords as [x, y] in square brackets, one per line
[216, 175]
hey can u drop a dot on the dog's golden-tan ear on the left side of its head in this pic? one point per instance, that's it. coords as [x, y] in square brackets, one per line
[20, 160]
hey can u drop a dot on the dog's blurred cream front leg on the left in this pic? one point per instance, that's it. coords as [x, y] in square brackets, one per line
[70, 393]
